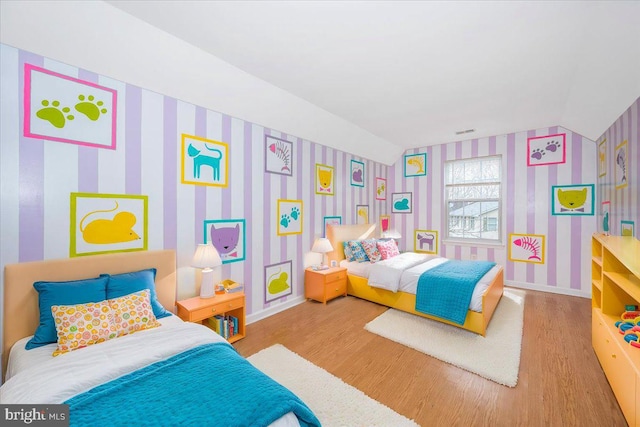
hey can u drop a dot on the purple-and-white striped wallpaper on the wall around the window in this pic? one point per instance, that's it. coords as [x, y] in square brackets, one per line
[526, 208]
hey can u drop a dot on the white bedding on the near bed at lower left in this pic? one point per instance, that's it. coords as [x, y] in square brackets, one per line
[39, 378]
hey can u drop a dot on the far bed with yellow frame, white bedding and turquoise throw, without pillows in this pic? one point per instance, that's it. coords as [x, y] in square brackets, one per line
[460, 293]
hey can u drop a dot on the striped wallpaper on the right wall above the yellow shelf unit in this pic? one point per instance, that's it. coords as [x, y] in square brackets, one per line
[625, 202]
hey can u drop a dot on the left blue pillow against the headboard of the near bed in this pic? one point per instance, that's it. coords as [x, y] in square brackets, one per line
[63, 293]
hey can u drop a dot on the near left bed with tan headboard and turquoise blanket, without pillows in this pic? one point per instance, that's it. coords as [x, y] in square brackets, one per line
[178, 373]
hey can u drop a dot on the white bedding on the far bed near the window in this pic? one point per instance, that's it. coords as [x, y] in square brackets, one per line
[403, 273]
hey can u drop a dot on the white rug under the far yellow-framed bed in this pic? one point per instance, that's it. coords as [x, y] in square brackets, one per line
[495, 357]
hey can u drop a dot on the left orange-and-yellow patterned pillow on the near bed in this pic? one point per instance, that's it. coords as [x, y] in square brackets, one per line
[83, 324]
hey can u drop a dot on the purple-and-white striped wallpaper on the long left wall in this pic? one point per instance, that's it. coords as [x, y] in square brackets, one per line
[38, 177]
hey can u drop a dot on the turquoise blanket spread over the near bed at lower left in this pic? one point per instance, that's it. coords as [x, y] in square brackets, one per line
[209, 385]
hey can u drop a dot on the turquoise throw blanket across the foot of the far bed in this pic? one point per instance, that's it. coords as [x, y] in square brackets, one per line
[445, 291]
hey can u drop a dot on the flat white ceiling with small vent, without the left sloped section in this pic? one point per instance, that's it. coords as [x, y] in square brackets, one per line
[414, 73]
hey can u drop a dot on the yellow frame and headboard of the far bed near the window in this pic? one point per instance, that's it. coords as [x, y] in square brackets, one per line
[358, 286]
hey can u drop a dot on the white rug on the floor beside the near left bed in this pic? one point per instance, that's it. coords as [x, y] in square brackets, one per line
[334, 402]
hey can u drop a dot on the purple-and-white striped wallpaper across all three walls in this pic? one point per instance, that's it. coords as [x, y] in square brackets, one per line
[38, 176]
